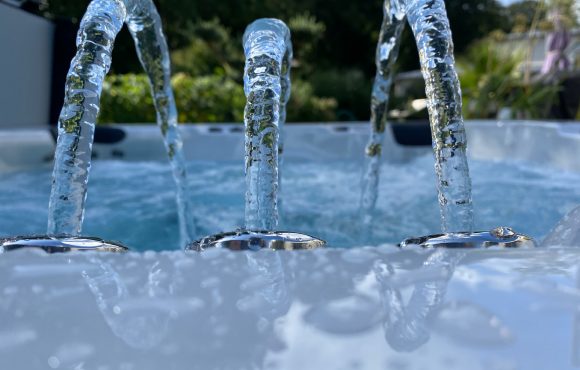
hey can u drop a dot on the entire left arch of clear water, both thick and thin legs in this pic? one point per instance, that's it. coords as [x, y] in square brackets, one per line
[99, 27]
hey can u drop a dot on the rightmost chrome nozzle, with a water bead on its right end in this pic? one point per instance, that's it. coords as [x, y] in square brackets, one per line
[503, 237]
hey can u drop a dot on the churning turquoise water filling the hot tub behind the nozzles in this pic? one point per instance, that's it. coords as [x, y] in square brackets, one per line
[134, 202]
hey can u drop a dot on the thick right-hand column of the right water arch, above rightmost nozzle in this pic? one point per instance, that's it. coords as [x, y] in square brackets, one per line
[430, 25]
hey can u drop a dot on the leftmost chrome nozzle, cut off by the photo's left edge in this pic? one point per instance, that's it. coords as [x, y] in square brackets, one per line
[60, 244]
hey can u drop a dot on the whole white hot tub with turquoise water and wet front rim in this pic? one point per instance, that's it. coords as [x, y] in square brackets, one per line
[362, 303]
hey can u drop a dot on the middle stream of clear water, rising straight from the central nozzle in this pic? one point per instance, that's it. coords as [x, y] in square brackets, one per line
[266, 42]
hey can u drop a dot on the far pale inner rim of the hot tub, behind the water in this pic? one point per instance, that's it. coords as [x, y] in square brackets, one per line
[542, 143]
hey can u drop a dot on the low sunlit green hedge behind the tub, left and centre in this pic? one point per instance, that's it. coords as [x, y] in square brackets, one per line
[212, 98]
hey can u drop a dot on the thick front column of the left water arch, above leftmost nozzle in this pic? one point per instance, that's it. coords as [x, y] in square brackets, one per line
[76, 126]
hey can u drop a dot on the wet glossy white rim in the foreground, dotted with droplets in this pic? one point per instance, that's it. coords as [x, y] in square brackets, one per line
[365, 308]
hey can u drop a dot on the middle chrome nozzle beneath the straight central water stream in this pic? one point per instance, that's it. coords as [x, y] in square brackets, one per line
[256, 240]
